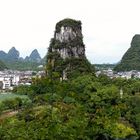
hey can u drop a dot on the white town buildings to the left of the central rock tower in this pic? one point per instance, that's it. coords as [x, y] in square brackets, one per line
[10, 78]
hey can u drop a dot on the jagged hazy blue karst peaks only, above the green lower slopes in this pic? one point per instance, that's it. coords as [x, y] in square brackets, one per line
[14, 55]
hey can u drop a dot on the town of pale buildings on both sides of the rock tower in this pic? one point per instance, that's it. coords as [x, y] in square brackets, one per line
[11, 78]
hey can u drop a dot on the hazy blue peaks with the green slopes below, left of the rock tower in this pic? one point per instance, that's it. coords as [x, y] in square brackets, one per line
[12, 60]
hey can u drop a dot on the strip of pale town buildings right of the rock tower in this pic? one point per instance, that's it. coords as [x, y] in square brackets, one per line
[112, 74]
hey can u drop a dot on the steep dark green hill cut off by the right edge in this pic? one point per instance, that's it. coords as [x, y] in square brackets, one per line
[131, 59]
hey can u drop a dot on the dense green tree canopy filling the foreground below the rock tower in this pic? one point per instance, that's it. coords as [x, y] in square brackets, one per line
[84, 108]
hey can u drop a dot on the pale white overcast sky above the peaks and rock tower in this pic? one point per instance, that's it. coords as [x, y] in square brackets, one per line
[107, 25]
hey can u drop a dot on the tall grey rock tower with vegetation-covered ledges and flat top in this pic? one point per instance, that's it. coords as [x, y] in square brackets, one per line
[66, 53]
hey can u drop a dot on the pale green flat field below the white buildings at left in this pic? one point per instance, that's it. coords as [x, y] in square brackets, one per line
[11, 96]
